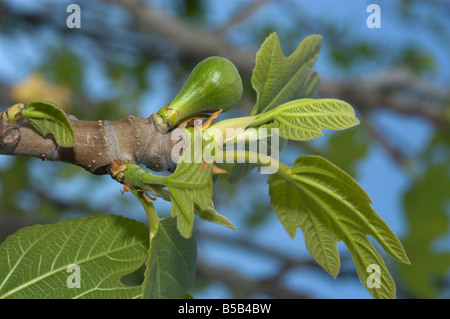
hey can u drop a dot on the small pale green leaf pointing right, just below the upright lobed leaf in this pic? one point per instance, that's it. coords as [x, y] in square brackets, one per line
[303, 119]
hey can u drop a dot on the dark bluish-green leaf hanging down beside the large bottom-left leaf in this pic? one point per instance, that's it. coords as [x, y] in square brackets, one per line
[171, 266]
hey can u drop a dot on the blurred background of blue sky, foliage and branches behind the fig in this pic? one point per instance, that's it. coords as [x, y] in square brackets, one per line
[128, 58]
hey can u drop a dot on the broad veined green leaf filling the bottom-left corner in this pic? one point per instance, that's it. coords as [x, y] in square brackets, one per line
[34, 261]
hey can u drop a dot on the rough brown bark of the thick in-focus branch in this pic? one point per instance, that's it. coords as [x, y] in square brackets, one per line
[97, 144]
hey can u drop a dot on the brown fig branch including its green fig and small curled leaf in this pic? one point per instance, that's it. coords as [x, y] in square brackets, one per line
[213, 86]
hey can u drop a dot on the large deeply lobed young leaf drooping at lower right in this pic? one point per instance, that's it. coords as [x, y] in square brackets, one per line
[328, 205]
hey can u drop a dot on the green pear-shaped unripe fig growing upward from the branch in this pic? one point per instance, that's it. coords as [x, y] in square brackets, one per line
[214, 84]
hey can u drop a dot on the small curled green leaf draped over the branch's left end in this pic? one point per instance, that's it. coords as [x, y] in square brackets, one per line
[47, 118]
